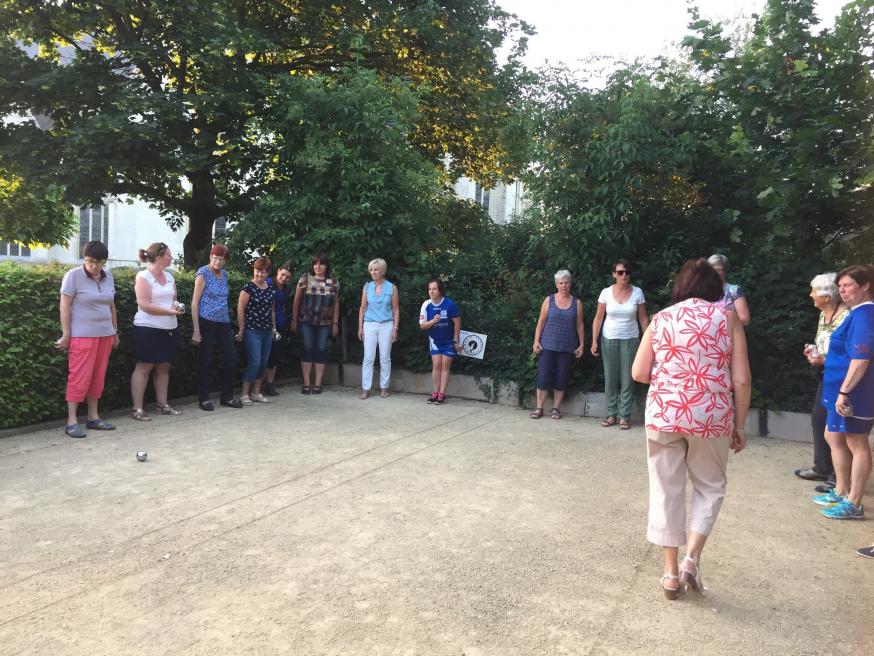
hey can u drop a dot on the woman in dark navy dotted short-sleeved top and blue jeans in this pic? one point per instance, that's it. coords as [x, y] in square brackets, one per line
[257, 329]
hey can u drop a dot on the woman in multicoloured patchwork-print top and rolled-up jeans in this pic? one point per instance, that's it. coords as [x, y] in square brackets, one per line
[316, 311]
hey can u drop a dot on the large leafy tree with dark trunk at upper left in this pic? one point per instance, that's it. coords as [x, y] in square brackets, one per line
[186, 104]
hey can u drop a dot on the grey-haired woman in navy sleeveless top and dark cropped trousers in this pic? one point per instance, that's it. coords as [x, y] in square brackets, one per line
[558, 339]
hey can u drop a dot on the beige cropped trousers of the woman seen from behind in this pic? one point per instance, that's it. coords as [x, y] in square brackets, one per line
[671, 456]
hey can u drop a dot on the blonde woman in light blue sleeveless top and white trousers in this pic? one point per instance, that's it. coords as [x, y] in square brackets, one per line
[377, 326]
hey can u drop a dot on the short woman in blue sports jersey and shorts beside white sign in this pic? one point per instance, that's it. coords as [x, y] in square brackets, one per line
[439, 316]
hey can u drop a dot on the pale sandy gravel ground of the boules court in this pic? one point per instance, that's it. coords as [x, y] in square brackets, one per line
[328, 525]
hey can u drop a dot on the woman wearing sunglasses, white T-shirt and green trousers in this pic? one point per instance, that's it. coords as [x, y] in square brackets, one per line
[621, 307]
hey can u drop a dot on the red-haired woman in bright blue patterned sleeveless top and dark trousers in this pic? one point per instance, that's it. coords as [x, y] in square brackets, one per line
[211, 323]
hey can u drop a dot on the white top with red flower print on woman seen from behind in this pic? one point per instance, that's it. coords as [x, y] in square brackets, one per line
[690, 390]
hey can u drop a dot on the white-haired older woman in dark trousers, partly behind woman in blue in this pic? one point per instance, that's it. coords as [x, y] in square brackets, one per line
[832, 312]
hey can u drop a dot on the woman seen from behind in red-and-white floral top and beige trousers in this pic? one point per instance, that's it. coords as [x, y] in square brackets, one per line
[694, 357]
